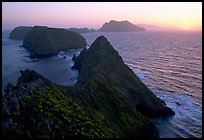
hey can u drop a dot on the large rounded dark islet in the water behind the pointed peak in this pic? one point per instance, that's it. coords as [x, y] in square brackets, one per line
[43, 41]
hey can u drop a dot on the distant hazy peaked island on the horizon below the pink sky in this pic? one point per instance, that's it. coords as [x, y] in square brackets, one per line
[120, 26]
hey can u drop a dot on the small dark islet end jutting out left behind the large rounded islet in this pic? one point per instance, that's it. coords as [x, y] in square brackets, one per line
[19, 33]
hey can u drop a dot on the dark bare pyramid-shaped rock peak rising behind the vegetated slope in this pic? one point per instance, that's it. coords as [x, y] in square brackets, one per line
[102, 65]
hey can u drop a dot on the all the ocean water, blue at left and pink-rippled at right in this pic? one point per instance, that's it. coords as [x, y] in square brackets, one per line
[169, 63]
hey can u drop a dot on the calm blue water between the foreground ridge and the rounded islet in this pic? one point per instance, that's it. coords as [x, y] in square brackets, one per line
[15, 58]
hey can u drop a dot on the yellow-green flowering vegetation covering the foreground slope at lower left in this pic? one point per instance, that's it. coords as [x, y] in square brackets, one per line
[49, 113]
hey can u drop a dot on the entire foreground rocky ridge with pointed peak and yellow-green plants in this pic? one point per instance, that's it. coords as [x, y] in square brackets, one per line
[108, 101]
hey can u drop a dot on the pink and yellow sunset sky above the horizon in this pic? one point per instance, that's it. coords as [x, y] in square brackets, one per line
[171, 15]
